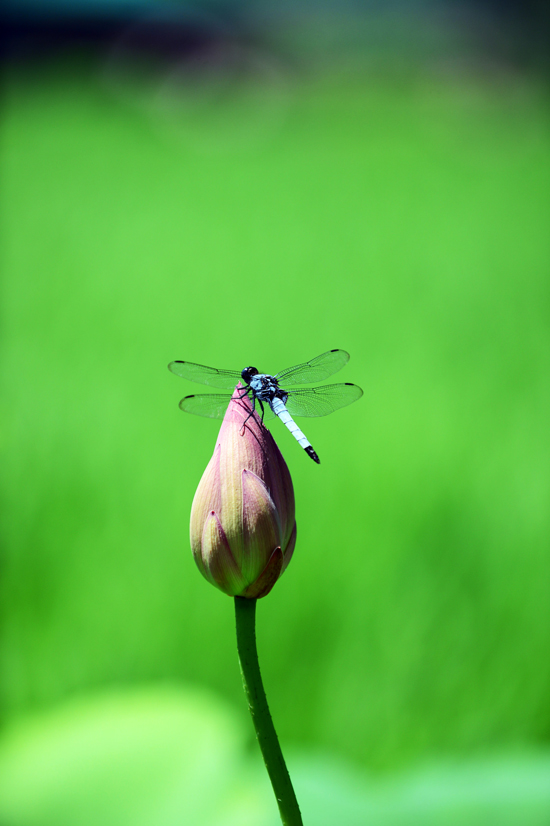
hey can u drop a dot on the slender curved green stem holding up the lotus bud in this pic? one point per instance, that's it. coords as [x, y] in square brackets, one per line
[245, 613]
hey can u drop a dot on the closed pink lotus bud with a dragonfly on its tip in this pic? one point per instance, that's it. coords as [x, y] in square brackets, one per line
[243, 528]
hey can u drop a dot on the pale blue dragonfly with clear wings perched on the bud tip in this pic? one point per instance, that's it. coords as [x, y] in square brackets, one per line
[273, 391]
